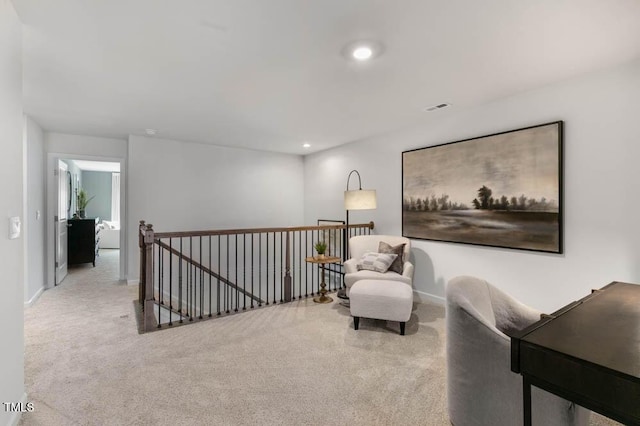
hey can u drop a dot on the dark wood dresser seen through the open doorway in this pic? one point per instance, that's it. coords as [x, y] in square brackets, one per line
[83, 238]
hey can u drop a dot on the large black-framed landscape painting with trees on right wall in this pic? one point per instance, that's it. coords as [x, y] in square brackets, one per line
[500, 190]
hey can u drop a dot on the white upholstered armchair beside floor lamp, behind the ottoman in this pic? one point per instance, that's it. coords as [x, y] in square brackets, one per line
[362, 244]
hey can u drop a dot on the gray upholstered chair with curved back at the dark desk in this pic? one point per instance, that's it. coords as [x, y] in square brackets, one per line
[482, 390]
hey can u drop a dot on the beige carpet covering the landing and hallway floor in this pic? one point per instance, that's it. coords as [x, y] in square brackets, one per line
[294, 364]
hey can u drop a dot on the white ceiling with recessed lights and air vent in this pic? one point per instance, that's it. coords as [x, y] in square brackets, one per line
[270, 75]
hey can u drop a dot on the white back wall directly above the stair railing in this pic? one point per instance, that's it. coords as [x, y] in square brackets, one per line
[179, 186]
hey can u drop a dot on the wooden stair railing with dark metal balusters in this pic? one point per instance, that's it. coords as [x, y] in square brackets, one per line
[195, 275]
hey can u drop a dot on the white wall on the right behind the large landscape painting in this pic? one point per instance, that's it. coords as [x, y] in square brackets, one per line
[601, 174]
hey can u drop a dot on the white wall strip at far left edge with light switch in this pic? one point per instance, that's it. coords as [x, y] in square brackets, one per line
[11, 204]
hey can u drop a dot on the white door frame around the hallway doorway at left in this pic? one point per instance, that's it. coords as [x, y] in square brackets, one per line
[52, 163]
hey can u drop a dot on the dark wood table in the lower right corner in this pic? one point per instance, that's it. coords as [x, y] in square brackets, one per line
[587, 352]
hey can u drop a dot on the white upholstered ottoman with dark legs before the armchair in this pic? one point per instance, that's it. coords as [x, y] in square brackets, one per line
[381, 299]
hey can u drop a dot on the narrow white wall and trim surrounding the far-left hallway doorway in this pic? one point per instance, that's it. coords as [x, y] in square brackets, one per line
[81, 147]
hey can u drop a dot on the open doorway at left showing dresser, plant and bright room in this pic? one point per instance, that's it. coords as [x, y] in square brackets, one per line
[86, 209]
